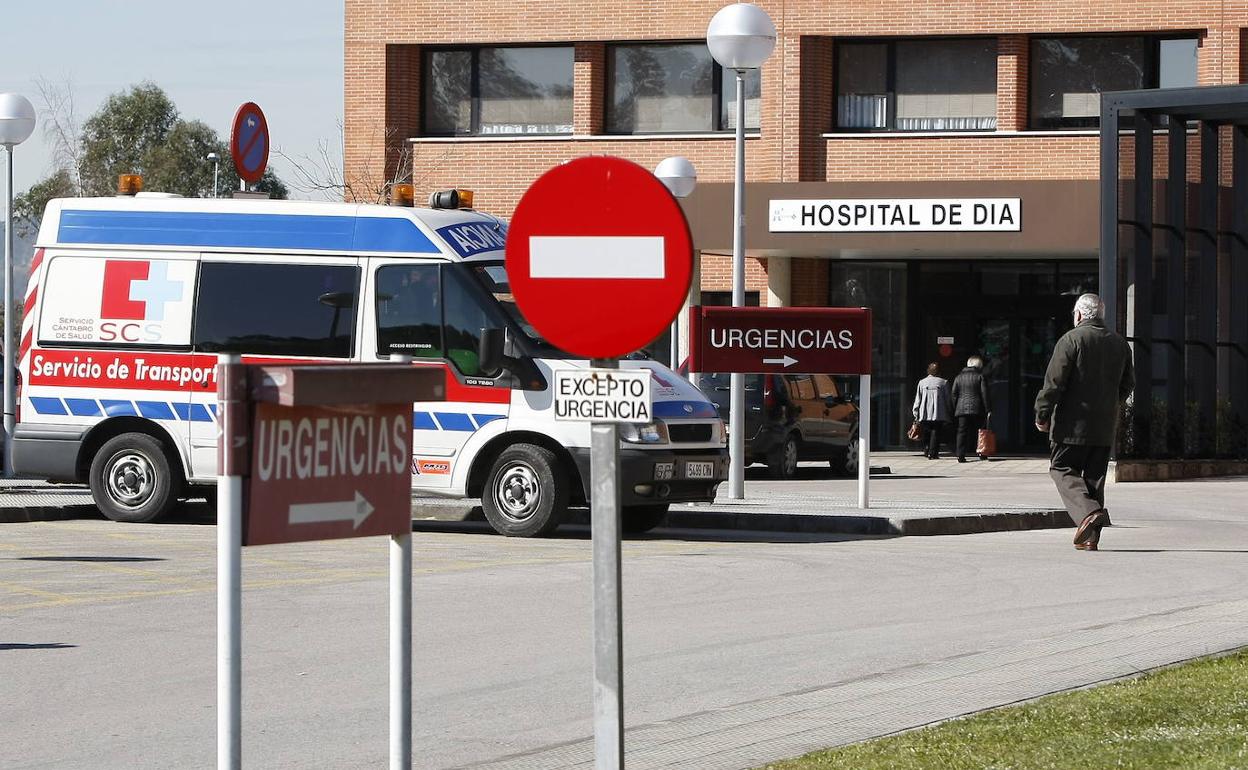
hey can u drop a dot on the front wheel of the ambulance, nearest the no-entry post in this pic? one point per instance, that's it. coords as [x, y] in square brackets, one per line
[527, 492]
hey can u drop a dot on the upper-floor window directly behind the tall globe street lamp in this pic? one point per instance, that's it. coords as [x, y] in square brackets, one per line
[675, 88]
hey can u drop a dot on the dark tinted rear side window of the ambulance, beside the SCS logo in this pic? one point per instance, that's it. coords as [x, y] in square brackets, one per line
[278, 310]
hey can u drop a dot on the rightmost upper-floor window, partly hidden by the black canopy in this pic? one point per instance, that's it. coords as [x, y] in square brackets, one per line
[1069, 74]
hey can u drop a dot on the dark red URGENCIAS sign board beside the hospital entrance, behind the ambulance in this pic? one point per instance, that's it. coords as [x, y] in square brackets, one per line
[799, 340]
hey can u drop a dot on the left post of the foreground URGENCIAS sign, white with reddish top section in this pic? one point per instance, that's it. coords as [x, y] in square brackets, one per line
[233, 464]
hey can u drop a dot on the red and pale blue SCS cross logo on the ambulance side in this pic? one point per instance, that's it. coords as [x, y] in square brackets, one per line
[134, 299]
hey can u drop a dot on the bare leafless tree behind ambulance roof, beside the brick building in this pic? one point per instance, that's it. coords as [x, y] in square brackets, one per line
[324, 173]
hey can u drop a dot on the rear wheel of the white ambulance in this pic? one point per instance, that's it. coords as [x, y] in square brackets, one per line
[133, 480]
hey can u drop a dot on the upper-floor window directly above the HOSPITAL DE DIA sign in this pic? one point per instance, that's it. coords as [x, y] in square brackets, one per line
[918, 85]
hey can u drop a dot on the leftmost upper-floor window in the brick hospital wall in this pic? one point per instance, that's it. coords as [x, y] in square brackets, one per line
[490, 92]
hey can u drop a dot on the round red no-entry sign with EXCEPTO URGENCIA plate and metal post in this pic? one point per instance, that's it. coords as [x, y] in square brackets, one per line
[587, 239]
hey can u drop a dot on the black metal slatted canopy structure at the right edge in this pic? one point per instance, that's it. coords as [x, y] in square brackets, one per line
[1175, 276]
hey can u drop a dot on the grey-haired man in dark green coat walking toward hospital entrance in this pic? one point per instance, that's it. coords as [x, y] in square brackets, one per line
[1089, 378]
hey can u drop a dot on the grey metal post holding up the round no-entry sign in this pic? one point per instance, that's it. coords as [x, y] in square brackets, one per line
[608, 606]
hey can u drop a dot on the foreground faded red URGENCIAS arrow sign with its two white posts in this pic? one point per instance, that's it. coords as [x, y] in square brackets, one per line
[363, 491]
